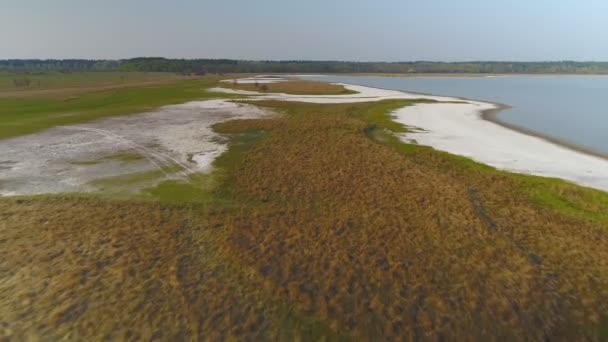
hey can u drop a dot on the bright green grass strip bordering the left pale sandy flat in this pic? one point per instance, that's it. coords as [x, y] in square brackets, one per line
[27, 113]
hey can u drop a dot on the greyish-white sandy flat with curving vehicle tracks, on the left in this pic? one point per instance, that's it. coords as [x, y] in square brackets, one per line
[69, 158]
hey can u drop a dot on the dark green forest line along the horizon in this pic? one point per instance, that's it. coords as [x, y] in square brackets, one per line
[202, 66]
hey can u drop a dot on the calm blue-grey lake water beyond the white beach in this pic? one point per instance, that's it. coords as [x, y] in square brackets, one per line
[570, 108]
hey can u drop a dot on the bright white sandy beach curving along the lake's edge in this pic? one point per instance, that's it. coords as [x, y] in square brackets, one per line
[470, 129]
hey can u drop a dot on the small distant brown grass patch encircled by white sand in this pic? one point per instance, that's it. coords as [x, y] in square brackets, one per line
[298, 87]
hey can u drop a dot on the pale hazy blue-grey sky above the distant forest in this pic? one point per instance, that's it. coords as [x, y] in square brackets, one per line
[352, 30]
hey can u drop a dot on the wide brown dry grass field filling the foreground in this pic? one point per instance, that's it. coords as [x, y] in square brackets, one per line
[328, 233]
